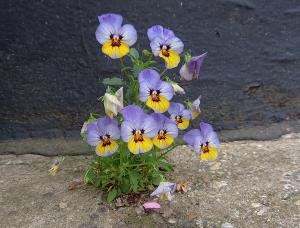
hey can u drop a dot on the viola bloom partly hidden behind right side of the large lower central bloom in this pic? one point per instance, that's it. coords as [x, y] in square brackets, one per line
[166, 131]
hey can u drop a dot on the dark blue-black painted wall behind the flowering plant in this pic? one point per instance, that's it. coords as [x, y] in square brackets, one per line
[51, 63]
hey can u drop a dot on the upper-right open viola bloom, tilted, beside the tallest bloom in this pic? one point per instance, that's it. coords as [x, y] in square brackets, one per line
[165, 44]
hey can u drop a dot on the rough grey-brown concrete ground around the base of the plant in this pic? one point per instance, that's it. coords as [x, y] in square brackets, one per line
[251, 184]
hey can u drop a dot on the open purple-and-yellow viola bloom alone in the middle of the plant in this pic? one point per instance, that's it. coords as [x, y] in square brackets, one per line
[155, 92]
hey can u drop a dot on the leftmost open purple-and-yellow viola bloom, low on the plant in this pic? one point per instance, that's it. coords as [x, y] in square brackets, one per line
[103, 134]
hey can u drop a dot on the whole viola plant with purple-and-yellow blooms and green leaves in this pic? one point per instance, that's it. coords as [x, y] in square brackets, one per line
[150, 121]
